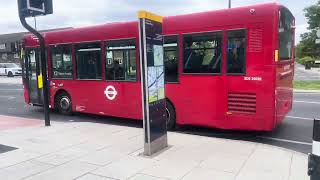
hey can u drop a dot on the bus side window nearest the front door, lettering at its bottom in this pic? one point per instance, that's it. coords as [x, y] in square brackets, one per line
[61, 61]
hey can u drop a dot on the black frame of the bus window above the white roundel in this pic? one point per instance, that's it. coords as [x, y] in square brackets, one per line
[105, 45]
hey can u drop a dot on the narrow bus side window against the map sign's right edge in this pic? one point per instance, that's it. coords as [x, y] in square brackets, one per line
[170, 47]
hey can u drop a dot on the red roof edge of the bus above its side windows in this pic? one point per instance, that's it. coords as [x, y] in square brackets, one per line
[172, 25]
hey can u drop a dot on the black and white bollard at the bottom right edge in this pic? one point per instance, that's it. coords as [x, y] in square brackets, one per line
[314, 157]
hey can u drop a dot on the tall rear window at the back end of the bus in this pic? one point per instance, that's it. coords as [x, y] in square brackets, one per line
[285, 34]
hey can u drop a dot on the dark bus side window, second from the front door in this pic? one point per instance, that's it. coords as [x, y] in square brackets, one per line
[88, 60]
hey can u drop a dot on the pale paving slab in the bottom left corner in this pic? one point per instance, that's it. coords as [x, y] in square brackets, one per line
[23, 170]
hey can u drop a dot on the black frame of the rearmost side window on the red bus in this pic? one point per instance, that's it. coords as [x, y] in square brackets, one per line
[245, 54]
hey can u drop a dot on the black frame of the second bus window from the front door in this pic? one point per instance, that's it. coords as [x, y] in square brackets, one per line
[74, 52]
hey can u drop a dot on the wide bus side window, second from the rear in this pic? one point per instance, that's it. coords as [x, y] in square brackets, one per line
[202, 53]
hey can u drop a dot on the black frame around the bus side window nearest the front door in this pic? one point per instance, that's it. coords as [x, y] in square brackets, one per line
[72, 60]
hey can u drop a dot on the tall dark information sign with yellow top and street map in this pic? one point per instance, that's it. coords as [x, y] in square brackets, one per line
[152, 80]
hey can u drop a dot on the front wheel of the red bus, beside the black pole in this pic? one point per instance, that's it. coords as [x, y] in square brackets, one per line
[63, 103]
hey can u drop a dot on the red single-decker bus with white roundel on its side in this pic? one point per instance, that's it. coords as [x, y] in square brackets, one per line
[229, 69]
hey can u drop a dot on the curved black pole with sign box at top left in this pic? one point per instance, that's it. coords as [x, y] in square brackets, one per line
[32, 8]
